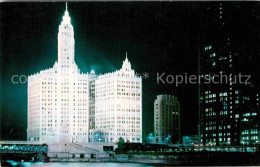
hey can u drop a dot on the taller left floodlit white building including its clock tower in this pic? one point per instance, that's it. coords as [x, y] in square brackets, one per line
[58, 97]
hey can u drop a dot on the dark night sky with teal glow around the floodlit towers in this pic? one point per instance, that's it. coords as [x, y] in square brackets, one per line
[158, 37]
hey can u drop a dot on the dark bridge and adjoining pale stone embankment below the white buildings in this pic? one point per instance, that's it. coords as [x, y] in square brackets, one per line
[36, 151]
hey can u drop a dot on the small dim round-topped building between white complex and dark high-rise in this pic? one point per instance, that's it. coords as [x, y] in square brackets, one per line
[166, 119]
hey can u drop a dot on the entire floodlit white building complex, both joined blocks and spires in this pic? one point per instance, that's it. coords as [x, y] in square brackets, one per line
[65, 105]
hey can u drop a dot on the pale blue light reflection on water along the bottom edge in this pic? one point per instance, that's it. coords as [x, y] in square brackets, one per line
[74, 164]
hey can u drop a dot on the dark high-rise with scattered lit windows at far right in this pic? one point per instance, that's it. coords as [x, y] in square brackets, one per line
[229, 111]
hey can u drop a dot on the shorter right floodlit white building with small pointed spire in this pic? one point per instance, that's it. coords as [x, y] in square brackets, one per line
[118, 106]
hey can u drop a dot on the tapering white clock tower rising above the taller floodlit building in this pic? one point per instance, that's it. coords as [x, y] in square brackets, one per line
[66, 42]
